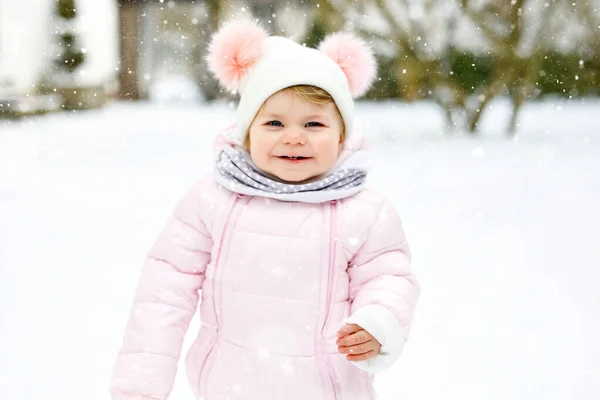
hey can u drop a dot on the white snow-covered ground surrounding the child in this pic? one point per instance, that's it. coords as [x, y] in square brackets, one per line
[505, 236]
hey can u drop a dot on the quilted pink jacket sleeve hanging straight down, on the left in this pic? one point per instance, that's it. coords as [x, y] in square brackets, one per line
[164, 304]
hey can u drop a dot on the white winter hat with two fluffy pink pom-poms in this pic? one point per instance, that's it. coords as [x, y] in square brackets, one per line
[244, 58]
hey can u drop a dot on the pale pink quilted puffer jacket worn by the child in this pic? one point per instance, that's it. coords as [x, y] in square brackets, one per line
[278, 280]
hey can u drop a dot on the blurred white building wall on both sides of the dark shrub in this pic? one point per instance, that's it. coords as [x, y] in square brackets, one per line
[27, 41]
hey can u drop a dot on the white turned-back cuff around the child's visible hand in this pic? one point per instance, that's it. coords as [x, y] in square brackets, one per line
[383, 325]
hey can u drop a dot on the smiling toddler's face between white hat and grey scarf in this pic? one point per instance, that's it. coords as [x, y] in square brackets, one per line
[293, 139]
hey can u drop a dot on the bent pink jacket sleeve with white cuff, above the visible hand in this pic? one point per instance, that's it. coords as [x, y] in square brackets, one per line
[383, 289]
